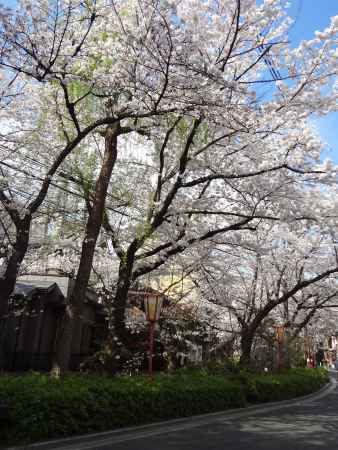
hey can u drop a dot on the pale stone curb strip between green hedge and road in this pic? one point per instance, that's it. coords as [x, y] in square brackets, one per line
[92, 440]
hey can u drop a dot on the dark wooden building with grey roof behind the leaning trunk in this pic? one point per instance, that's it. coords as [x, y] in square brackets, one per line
[34, 322]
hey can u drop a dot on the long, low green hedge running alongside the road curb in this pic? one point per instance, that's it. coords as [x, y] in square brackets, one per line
[42, 408]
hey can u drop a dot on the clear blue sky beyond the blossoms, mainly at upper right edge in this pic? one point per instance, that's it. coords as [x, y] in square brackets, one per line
[309, 15]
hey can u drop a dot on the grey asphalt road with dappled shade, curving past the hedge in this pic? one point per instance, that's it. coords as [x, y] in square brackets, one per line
[305, 425]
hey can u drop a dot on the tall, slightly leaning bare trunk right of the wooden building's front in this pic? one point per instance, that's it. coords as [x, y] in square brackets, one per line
[75, 304]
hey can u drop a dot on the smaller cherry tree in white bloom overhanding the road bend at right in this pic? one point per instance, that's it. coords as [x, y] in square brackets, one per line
[287, 276]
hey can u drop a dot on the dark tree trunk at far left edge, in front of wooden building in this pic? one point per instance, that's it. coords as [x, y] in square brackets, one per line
[7, 283]
